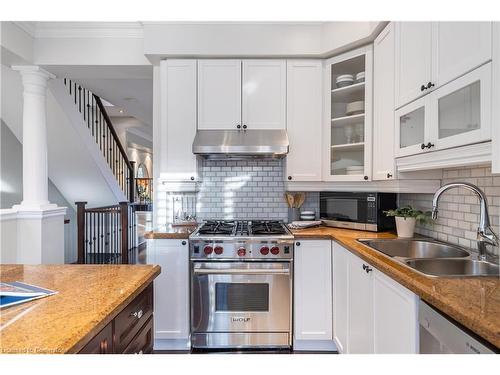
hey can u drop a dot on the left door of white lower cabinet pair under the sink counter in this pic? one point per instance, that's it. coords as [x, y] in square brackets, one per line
[360, 295]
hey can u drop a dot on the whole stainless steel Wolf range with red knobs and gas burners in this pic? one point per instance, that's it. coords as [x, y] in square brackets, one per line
[241, 289]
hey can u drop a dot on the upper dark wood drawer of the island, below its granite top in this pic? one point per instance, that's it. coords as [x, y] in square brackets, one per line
[133, 317]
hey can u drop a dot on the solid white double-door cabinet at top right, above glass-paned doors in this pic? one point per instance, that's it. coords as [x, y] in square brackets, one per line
[432, 54]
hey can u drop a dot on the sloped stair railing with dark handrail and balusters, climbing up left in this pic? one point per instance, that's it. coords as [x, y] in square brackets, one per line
[101, 128]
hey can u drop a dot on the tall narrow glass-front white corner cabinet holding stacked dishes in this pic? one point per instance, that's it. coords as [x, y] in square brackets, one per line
[348, 106]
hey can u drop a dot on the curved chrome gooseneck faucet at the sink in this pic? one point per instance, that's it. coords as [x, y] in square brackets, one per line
[485, 235]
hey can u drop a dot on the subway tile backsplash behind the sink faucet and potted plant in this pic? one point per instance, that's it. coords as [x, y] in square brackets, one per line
[458, 208]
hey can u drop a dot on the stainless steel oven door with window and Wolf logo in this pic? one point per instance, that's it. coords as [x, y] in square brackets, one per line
[241, 297]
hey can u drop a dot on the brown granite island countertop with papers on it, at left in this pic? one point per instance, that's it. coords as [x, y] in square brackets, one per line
[89, 297]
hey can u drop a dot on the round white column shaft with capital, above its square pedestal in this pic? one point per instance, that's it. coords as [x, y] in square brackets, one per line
[35, 175]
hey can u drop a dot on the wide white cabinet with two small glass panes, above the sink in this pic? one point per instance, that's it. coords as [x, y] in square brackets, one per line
[454, 115]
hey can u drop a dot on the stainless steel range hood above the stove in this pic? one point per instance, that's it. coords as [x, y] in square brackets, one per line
[241, 144]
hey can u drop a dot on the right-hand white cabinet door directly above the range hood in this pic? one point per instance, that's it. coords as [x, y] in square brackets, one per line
[264, 94]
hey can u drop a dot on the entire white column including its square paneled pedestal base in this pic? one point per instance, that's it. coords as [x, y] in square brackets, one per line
[40, 224]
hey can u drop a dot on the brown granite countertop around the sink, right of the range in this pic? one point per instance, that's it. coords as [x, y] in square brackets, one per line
[472, 301]
